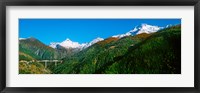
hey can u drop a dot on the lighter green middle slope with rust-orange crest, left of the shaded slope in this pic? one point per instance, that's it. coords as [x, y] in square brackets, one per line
[99, 56]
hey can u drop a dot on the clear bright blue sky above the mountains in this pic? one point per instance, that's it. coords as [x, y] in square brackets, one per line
[82, 30]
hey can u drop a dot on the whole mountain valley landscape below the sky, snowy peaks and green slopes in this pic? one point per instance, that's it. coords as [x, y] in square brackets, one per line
[140, 51]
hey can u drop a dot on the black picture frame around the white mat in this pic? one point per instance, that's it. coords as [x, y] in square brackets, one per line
[4, 3]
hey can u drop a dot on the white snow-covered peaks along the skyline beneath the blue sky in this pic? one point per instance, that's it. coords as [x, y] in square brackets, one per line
[143, 28]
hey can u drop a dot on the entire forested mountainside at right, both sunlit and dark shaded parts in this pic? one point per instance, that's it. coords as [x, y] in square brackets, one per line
[141, 54]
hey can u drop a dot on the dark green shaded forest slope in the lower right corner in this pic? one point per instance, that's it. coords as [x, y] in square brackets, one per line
[160, 53]
